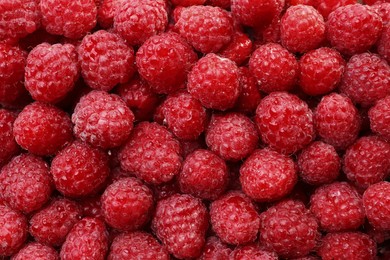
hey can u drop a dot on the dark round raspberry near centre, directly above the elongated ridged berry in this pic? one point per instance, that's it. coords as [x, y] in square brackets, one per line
[204, 175]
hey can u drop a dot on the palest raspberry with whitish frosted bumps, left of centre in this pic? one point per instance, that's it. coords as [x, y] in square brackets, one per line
[102, 119]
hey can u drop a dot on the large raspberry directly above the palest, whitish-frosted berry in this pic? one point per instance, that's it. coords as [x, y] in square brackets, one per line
[105, 60]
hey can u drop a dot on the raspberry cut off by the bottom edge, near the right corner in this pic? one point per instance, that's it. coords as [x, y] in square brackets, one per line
[347, 245]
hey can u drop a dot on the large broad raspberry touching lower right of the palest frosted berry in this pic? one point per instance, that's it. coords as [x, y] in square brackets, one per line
[152, 153]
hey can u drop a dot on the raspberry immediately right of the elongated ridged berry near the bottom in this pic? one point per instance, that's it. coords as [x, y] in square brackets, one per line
[234, 218]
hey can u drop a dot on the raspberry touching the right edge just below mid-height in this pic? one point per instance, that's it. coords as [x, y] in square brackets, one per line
[367, 161]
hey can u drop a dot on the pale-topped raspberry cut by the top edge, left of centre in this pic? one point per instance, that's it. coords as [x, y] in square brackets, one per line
[137, 20]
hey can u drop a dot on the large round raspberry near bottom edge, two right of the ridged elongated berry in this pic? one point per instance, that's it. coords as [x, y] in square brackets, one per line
[289, 229]
